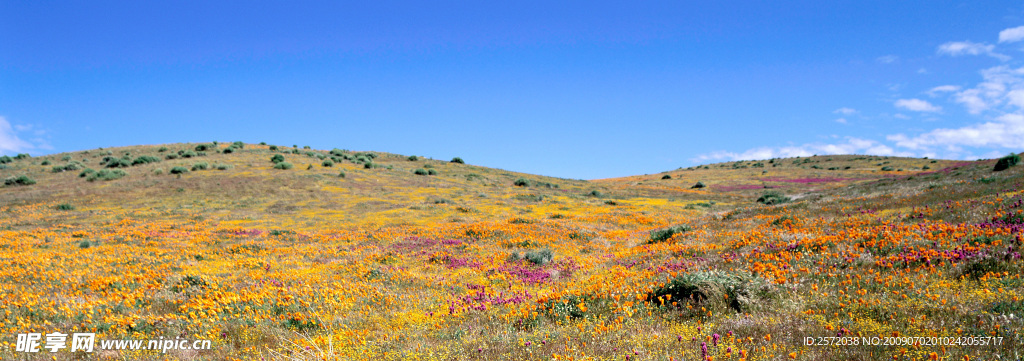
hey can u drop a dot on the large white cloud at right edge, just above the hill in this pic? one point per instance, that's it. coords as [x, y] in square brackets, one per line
[1007, 131]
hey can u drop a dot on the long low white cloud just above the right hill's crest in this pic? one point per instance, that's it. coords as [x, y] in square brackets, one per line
[851, 147]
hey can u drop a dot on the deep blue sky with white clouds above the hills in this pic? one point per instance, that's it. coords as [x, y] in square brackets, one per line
[578, 89]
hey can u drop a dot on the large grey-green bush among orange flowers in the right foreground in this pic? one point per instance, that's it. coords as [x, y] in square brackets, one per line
[738, 292]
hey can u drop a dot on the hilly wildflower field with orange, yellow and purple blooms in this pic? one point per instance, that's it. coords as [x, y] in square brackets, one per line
[287, 253]
